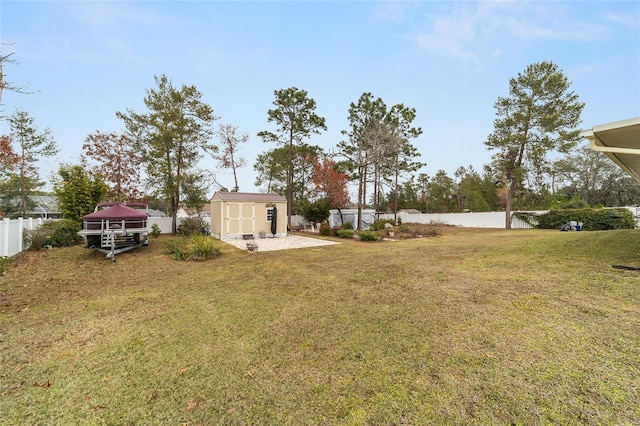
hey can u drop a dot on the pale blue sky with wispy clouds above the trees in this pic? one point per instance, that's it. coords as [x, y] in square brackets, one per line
[85, 60]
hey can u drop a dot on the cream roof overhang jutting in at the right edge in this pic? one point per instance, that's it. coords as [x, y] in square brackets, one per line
[620, 141]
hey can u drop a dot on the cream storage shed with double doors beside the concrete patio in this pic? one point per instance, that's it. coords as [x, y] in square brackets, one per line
[238, 215]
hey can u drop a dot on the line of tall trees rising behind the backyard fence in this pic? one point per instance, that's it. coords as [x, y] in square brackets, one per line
[165, 145]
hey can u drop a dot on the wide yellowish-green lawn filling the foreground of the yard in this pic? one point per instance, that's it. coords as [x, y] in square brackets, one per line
[470, 327]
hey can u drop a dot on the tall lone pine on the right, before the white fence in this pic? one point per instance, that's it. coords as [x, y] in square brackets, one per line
[540, 115]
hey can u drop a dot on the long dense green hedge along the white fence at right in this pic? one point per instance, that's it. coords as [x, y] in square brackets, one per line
[592, 219]
